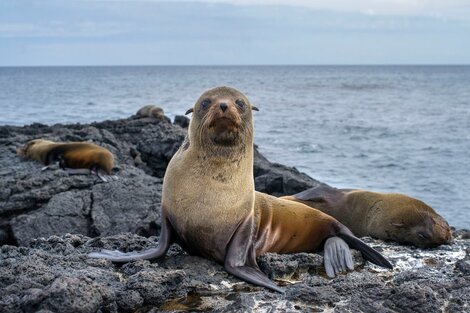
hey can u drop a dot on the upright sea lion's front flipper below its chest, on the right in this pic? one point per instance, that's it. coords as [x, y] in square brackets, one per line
[240, 259]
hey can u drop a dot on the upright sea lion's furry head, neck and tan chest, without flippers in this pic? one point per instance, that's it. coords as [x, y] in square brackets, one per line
[208, 187]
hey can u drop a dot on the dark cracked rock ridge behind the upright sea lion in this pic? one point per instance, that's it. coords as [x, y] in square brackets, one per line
[40, 204]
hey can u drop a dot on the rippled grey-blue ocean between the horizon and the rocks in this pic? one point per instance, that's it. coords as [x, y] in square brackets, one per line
[384, 128]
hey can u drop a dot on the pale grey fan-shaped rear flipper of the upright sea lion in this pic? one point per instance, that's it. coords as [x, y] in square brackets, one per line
[337, 256]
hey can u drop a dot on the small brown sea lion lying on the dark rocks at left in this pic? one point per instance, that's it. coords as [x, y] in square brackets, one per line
[75, 157]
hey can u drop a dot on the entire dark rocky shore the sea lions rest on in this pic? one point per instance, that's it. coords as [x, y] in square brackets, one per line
[50, 220]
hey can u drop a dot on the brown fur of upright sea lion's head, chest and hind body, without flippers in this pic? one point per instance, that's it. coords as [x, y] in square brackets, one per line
[209, 190]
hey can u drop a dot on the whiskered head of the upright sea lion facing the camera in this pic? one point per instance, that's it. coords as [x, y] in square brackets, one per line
[222, 120]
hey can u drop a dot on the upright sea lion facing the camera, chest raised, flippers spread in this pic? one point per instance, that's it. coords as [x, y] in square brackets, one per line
[209, 204]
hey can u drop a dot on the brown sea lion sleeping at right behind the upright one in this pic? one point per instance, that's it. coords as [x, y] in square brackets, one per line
[387, 216]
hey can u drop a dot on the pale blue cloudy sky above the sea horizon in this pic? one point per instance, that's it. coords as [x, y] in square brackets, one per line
[233, 32]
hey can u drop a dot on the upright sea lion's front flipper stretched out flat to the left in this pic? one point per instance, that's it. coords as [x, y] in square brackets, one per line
[154, 253]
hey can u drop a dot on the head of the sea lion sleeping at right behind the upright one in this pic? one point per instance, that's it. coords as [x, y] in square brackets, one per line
[413, 221]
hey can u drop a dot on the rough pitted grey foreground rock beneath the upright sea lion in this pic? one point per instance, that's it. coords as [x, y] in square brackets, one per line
[55, 275]
